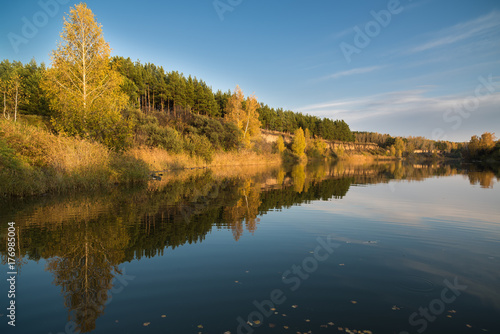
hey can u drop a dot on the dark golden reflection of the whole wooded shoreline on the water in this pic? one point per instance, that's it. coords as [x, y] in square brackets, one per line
[85, 237]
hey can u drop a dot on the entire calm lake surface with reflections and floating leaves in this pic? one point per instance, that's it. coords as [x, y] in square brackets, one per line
[328, 249]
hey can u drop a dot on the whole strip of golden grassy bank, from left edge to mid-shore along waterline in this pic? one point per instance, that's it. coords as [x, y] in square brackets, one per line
[35, 161]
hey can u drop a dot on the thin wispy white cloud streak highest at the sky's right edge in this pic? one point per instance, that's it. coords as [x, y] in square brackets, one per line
[478, 27]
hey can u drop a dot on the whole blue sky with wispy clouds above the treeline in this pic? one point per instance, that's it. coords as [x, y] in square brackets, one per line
[408, 68]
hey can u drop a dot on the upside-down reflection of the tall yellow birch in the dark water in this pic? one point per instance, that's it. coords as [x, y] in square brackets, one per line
[89, 253]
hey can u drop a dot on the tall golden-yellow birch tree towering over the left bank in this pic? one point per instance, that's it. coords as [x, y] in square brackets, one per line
[82, 88]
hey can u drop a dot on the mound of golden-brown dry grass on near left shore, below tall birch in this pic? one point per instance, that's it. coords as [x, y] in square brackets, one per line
[36, 161]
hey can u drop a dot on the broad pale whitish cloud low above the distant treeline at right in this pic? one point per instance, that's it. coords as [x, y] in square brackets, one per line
[411, 112]
